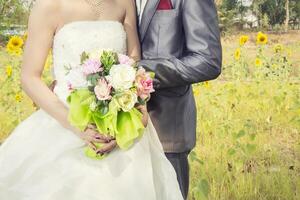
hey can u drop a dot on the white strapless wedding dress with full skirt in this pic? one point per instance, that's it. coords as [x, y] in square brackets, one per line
[41, 160]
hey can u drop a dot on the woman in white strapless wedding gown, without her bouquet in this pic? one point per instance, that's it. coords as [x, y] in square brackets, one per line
[43, 158]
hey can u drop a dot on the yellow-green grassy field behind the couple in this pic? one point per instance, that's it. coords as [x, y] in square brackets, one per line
[248, 140]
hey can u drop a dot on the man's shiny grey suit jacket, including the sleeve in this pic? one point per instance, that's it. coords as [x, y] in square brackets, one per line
[182, 46]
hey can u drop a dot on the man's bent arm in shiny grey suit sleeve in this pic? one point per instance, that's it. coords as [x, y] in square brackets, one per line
[203, 55]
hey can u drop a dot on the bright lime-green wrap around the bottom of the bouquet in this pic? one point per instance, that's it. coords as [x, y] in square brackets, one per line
[126, 127]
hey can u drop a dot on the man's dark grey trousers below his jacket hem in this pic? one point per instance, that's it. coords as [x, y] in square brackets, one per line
[181, 165]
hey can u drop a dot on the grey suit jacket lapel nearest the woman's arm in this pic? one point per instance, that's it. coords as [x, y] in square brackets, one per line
[148, 13]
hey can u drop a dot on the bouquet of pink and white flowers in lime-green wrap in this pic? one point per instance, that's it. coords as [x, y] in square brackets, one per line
[105, 88]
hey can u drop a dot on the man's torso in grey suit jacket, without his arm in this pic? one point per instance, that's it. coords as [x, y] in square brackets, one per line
[172, 110]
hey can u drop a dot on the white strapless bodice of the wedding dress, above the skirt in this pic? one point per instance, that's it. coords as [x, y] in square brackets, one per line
[79, 36]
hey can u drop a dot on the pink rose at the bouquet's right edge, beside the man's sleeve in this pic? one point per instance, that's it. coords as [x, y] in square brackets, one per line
[144, 84]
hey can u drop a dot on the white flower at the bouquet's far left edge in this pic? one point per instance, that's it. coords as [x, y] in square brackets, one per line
[76, 78]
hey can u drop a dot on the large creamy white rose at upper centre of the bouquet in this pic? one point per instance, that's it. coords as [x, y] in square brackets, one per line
[122, 77]
